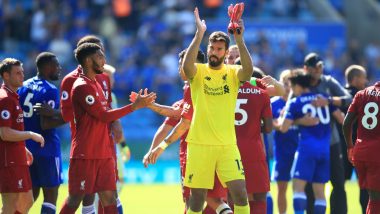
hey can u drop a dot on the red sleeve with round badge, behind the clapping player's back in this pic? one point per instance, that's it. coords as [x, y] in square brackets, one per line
[65, 101]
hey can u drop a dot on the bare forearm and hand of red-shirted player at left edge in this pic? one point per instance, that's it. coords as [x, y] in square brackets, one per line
[11, 135]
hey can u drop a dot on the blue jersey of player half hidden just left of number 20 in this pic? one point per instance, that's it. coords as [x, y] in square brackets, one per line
[284, 142]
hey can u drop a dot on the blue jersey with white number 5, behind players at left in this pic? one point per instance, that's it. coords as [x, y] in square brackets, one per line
[36, 90]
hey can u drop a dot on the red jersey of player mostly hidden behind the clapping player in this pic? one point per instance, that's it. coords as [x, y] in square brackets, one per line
[67, 85]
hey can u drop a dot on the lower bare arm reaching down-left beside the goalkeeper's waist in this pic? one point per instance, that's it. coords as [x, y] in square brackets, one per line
[177, 132]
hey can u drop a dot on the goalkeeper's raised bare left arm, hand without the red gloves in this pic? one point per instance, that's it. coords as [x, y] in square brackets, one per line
[192, 51]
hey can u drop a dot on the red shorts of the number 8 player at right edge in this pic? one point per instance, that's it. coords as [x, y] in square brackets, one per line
[369, 175]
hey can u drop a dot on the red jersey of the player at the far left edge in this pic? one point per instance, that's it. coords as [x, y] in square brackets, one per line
[11, 115]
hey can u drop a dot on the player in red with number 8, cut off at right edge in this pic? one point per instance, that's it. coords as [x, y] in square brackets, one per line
[365, 154]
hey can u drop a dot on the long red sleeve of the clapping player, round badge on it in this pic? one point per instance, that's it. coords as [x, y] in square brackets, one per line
[85, 95]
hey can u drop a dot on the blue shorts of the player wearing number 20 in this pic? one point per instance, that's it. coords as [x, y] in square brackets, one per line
[312, 167]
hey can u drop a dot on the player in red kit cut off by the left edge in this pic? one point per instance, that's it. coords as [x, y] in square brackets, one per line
[15, 181]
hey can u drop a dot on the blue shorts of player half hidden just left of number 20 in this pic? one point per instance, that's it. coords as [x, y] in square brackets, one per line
[282, 166]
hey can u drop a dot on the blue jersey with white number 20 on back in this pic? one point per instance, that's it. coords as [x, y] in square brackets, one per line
[313, 137]
